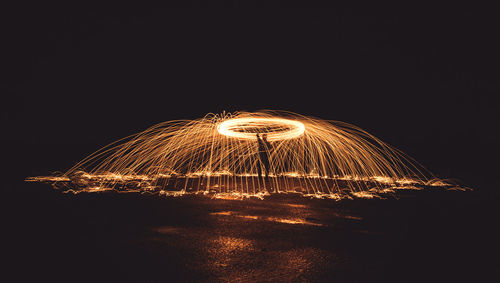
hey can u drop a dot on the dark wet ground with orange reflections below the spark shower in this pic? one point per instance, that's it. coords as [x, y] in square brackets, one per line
[419, 237]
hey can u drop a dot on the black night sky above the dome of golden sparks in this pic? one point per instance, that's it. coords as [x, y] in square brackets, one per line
[422, 78]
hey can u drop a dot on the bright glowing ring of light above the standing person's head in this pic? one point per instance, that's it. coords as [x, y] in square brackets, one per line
[292, 128]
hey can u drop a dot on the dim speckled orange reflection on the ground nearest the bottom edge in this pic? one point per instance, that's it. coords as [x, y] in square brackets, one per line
[233, 259]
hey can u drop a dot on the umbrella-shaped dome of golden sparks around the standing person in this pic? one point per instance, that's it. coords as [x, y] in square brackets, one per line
[220, 155]
